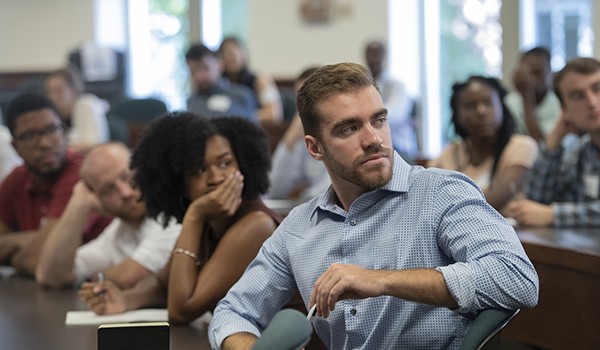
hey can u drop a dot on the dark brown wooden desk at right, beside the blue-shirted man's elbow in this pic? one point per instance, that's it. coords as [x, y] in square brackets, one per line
[568, 312]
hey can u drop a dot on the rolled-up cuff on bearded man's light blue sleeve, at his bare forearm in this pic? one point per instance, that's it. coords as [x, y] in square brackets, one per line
[460, 280]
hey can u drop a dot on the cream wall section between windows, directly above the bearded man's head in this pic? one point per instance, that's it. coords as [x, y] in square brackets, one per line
[282, 44]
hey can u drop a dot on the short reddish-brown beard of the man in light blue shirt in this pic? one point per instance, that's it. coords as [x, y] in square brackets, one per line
[376, 177]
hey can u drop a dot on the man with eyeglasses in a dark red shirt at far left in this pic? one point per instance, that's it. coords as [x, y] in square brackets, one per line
[34, 195]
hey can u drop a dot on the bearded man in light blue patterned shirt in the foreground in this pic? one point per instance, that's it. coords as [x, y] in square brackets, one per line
[393, 256]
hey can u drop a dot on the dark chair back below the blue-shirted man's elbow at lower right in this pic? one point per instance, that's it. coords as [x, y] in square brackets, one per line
[486, 328]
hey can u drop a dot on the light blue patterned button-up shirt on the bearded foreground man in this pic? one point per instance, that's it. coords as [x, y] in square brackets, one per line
[423, 218]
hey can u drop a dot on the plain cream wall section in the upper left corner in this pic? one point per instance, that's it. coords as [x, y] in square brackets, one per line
[38, 34]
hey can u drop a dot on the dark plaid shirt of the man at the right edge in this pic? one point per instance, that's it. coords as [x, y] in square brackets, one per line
[569, 181]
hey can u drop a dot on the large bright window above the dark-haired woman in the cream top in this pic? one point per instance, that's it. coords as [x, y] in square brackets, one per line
[446, 30]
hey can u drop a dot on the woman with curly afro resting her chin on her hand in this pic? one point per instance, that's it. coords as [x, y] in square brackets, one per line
[208, 175]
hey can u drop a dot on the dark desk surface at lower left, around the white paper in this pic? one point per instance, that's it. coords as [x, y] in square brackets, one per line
[32, 317]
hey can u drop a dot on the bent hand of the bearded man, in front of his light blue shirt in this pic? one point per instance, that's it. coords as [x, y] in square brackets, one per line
[341, 282]
